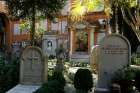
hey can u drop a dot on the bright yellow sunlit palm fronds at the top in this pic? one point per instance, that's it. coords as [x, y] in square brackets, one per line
[81, 7]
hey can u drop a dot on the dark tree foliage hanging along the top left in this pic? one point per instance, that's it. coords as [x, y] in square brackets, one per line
[24, 8]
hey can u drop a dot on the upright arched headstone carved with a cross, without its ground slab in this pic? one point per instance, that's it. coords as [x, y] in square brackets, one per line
[33, 68]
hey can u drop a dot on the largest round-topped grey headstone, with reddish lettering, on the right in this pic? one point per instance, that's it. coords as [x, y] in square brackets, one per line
[114, 55]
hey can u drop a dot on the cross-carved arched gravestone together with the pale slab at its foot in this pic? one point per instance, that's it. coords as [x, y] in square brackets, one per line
[33, 71]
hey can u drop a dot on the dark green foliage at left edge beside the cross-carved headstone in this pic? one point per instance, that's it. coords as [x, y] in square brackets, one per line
[9, 75]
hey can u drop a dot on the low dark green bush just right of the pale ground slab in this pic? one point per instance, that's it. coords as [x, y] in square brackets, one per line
[55, 85]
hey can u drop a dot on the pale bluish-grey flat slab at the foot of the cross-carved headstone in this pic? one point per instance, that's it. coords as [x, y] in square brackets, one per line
[24, 89]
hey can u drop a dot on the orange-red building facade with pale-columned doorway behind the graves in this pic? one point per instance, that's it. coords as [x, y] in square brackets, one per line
[81, 36]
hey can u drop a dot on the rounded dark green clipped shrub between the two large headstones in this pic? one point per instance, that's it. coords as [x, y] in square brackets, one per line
[83, 81]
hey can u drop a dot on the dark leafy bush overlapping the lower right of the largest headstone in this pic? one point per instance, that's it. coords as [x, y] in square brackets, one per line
[125, 77]
